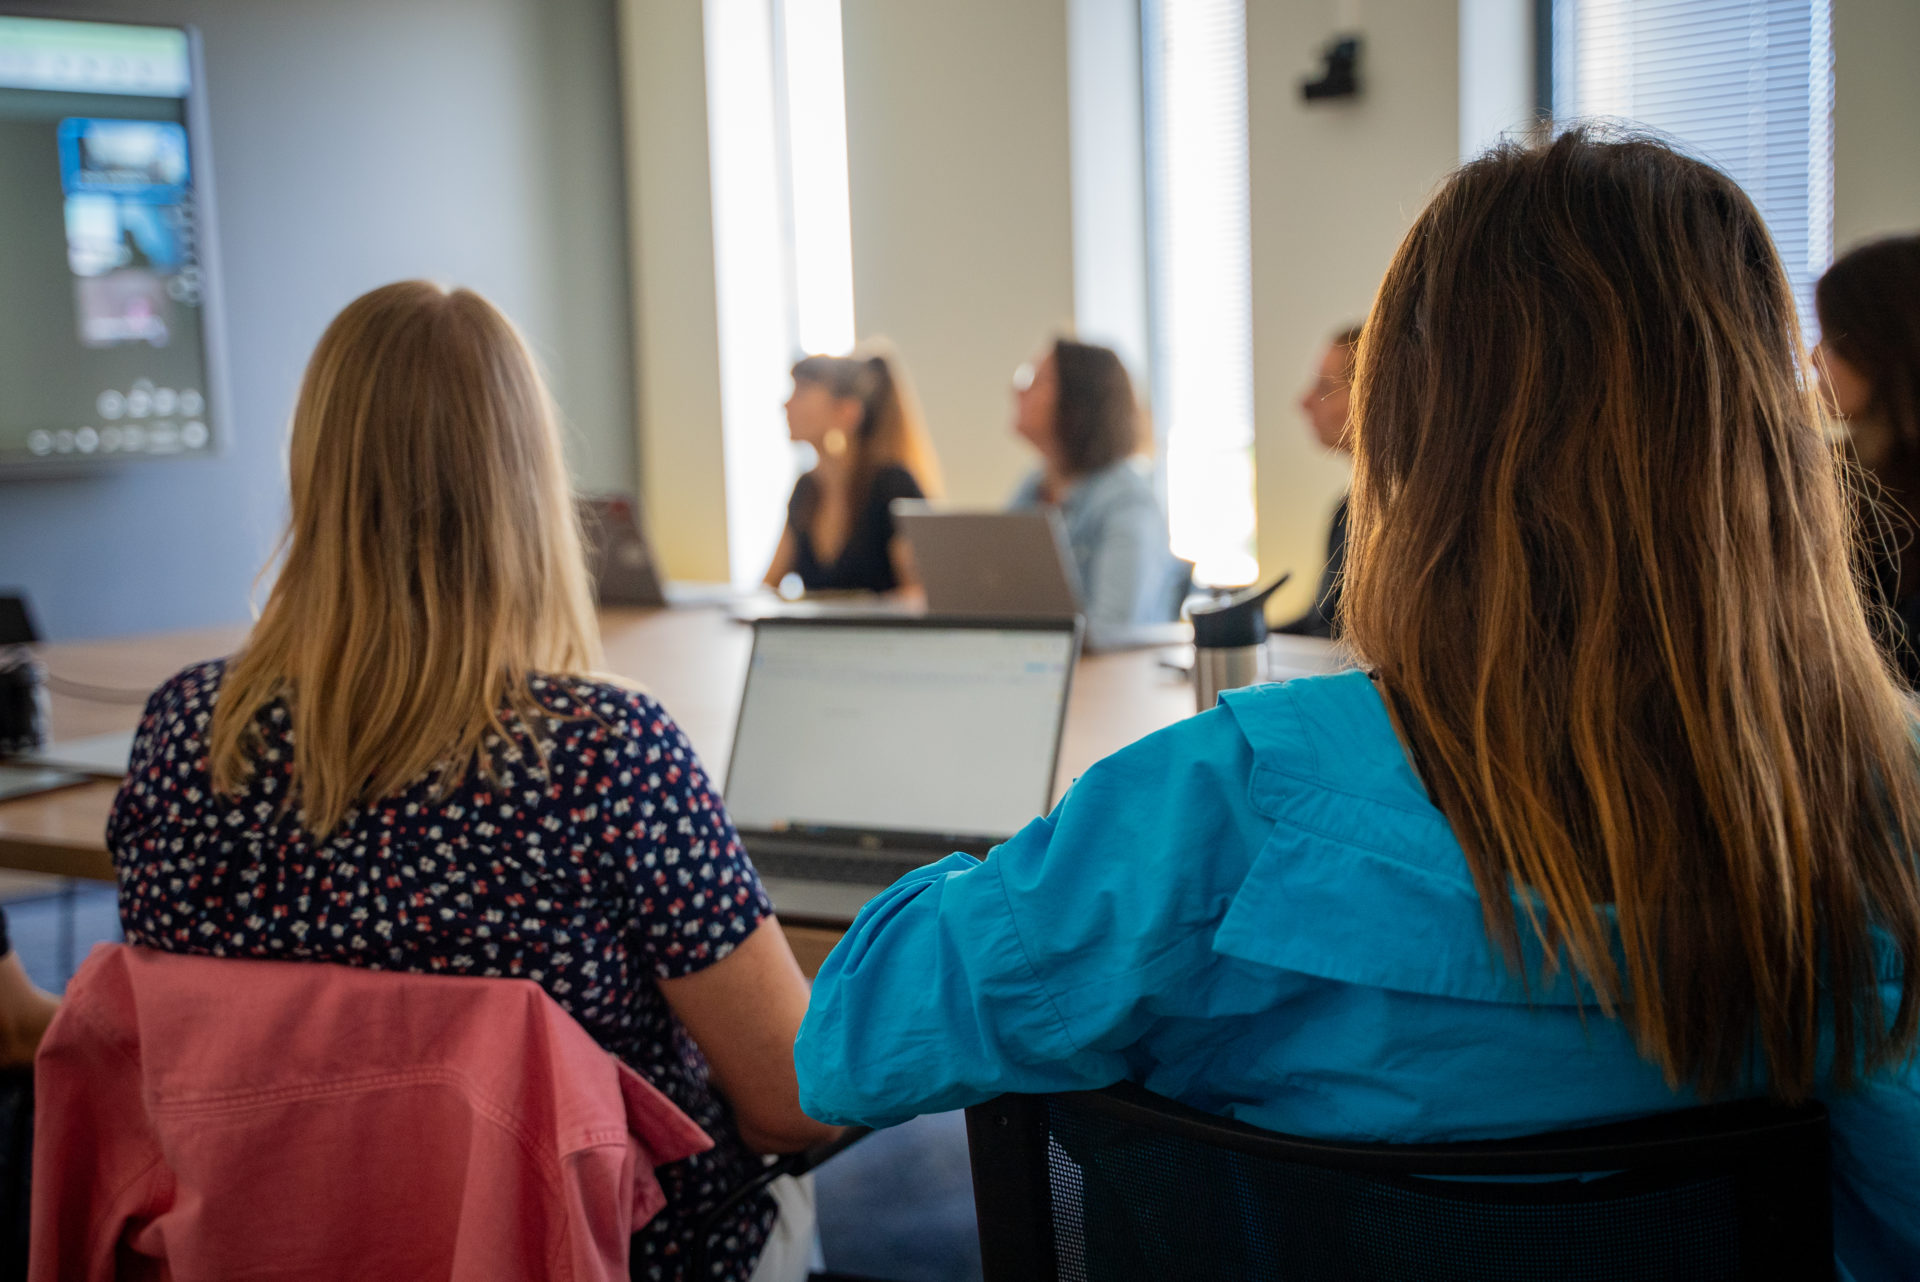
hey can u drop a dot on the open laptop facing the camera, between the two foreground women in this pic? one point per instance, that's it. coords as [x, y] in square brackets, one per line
[869, 748]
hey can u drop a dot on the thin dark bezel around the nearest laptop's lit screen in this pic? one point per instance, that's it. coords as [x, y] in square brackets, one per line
[892, 840]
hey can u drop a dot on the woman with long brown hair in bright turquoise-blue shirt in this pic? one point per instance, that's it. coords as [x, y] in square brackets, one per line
[1623, 819]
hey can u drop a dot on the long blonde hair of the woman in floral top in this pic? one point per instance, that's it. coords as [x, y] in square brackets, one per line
[431, 563]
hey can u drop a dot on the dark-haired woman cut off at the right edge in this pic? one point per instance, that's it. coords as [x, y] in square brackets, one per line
[1869, 362]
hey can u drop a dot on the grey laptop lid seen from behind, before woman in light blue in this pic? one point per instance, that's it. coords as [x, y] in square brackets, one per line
[1009, 565]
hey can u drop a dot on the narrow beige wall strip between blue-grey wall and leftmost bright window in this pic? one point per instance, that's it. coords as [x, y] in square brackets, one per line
[677, 337]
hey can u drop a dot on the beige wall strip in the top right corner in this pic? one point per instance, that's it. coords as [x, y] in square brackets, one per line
[1877, 120]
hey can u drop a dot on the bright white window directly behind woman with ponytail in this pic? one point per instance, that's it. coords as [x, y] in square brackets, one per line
[777, 126]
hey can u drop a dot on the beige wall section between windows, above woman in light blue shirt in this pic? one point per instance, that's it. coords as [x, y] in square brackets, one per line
[957, 143]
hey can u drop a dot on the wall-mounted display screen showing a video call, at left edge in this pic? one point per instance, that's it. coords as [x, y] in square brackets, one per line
[105, 285]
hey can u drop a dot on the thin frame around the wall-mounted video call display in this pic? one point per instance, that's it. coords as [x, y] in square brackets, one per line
[206, 214]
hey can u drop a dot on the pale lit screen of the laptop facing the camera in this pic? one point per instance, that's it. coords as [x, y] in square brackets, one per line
[917, 730]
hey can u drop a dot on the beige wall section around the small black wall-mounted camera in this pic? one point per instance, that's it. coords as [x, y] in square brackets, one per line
[1333, 189]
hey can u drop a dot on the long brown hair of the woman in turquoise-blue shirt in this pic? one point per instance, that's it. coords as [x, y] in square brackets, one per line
[1600, 565]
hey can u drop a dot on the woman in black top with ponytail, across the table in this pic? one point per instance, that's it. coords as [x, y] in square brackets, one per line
[863, 423]
